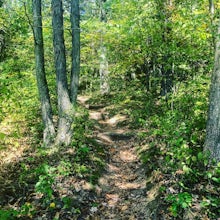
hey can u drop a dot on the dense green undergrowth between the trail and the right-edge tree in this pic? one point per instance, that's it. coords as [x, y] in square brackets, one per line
[171, 133]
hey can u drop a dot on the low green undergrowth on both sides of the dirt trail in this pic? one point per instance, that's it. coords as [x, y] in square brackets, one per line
[170, 131]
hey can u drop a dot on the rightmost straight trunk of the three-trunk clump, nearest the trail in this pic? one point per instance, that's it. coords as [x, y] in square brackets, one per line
[75, 24]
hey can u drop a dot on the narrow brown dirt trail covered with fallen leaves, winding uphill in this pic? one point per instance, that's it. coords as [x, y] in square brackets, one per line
[121, 191]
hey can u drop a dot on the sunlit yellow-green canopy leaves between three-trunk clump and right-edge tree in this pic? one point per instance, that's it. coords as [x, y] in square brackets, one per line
[146, 38]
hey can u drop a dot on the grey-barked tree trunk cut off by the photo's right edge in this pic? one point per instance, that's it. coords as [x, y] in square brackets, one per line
[212, 143]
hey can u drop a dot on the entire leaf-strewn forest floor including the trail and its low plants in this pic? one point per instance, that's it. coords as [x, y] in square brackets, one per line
[117, 167]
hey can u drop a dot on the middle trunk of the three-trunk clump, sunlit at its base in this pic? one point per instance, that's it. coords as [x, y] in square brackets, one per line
[64, 132]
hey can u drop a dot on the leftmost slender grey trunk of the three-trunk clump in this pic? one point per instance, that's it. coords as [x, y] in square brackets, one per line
[49, 131]
